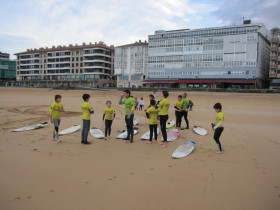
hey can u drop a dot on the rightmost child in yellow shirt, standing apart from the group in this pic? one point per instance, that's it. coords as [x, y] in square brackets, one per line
[218, 127]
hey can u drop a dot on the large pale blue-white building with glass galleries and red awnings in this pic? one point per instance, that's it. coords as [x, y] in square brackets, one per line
[231, 56]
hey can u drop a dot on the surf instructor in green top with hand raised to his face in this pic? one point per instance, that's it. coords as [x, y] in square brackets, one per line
[129, 113]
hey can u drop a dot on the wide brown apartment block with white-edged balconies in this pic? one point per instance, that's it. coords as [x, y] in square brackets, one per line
[90, 62]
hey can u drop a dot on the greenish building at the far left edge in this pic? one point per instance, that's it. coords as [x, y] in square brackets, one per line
[7, 67]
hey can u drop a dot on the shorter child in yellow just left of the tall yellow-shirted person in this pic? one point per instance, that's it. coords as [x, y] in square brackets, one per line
[152, 113]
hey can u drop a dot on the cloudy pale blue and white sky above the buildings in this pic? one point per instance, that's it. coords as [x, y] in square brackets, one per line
[28, 24]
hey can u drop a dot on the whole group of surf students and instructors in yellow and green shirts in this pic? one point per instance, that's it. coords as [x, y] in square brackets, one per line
[157, 110]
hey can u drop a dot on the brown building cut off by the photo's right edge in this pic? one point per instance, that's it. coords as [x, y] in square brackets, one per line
[274, 72]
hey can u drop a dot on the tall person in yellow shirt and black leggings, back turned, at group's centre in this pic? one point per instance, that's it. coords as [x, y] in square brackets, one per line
[163, 105]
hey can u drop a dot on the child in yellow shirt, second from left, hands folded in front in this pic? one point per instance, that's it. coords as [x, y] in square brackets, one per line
[87, 111]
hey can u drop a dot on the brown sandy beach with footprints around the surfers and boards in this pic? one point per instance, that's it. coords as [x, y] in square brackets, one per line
[38, 173]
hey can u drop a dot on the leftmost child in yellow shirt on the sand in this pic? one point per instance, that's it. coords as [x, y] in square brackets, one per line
[55, 116]
